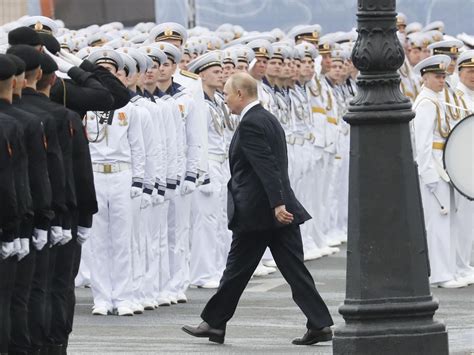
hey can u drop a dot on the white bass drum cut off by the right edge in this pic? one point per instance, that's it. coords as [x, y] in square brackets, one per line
[459, 157]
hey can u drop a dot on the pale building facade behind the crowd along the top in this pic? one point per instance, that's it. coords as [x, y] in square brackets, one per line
[257, 15]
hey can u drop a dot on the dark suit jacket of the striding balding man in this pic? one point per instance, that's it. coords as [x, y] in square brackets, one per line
[259, 175]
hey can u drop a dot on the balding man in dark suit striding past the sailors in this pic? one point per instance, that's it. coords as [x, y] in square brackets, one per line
[263, 212]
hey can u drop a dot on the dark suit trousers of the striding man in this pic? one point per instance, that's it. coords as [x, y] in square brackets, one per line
[245, 253]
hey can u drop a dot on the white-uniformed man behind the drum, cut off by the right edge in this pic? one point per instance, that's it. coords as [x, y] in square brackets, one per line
[463, 216]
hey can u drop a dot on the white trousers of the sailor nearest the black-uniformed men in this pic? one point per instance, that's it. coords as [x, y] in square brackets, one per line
[111, 234]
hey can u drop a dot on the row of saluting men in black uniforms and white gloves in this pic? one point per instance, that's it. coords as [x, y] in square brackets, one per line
[47, 189]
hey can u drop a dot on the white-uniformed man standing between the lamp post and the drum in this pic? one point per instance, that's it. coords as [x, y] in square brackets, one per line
[431, 128]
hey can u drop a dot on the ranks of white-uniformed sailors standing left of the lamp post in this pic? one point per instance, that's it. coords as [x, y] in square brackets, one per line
[179, 225]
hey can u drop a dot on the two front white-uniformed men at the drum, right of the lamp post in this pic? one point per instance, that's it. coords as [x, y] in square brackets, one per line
[439, 107]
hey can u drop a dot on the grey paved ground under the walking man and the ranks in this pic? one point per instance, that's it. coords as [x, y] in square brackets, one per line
[265, 322]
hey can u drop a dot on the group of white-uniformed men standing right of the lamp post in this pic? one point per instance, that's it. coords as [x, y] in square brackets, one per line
[437, 76]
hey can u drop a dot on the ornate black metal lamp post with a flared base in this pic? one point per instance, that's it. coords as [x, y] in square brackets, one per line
[388, 307]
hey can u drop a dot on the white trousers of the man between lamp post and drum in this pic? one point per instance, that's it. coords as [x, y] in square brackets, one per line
[441, 245]
